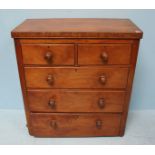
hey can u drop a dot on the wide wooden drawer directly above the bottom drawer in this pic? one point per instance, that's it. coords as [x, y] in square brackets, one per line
[63, 100]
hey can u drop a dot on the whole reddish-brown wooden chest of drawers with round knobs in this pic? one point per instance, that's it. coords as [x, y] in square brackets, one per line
[76, 74]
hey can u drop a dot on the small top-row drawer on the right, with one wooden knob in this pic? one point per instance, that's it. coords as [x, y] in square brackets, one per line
[101, 54]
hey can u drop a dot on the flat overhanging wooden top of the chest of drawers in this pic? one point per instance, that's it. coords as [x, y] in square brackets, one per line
[77, 28]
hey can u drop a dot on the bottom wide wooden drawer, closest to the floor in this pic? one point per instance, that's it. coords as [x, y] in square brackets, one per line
[74, 124]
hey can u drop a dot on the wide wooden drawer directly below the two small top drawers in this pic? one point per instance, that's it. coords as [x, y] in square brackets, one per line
[76, 77]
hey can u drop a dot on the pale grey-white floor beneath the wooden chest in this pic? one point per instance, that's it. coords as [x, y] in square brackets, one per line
[140, 130]
